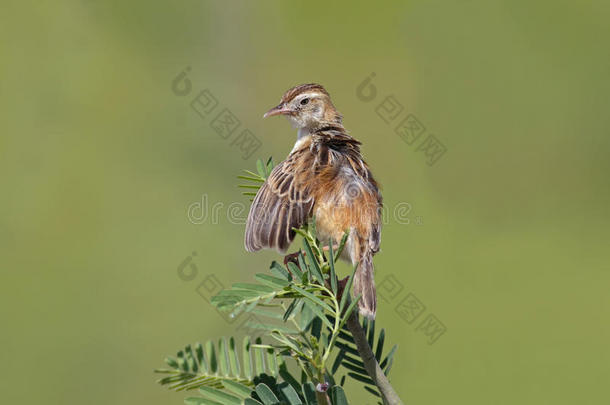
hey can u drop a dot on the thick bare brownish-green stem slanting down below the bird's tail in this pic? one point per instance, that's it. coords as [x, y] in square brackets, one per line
[388, 394]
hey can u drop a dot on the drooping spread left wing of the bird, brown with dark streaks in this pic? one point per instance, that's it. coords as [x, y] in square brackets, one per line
[283, 202]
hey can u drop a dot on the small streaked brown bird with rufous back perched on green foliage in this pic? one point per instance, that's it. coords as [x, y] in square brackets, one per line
[324, 177]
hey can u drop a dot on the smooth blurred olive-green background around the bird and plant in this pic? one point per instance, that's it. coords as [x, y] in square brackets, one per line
[508, 240]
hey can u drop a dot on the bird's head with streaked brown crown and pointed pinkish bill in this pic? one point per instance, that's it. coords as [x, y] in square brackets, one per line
[307, 106]
